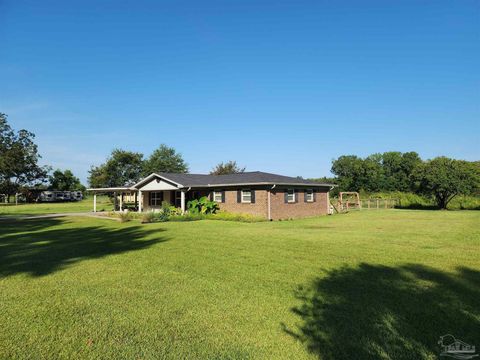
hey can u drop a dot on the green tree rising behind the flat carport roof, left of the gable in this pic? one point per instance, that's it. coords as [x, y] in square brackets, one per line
[122, 168]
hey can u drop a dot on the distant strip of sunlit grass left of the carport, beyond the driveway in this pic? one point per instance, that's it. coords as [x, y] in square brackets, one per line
[103, 203]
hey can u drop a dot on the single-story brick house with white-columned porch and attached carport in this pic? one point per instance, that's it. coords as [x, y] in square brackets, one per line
[258, 193]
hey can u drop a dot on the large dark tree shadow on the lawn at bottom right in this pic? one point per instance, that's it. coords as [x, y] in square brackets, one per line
[379, 312]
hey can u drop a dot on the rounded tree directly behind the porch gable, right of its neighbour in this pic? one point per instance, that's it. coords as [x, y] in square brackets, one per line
[165, 159]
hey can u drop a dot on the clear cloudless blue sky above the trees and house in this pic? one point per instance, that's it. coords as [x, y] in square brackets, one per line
[278, 86]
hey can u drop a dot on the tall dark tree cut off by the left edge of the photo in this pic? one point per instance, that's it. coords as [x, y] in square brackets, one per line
[18, 159]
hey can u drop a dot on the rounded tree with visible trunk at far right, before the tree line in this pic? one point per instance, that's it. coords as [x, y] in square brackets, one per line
[445, 178]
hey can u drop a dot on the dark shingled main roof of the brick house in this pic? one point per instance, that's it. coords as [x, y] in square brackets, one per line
[247, 178]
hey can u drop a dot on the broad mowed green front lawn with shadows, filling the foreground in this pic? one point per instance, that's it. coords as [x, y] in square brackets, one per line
[364, 285]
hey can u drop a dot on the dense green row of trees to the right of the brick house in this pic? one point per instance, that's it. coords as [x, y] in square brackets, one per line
[440, 178]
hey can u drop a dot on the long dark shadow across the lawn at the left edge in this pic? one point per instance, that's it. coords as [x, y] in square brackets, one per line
[35, 248]
